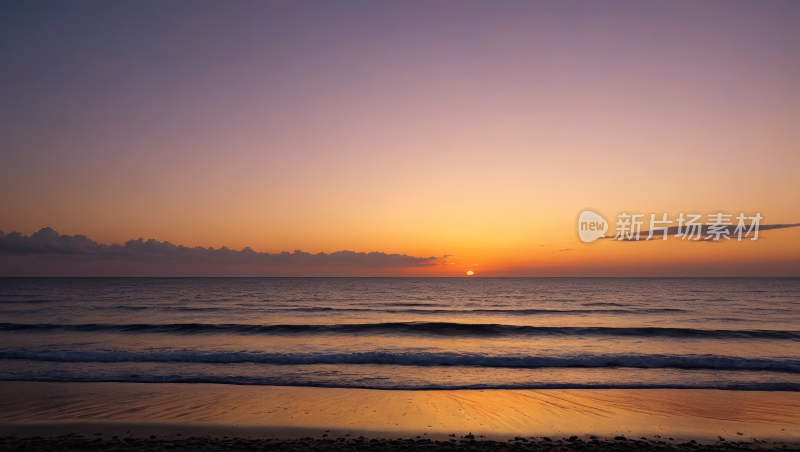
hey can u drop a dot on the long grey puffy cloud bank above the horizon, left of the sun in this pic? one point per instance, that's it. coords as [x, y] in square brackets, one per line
[49, 242]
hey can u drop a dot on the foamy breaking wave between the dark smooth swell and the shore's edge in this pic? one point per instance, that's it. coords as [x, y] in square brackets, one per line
[660, 361]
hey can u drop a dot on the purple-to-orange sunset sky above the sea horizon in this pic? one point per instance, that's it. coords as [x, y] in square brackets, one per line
[463, 135]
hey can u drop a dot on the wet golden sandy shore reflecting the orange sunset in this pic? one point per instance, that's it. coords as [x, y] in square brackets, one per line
[179, 411]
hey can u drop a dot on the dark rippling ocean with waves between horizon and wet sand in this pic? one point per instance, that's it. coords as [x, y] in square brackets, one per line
[406, 333]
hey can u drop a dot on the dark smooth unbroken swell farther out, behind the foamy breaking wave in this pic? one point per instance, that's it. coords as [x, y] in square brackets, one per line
[406, 328]
